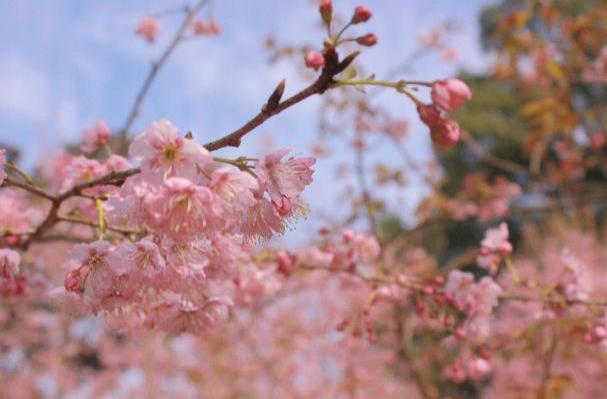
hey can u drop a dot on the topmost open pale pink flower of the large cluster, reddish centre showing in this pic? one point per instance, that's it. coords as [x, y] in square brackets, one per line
[163, 153]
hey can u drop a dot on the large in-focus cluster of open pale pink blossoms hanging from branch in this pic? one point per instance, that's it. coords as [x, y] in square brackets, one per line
[195, 219]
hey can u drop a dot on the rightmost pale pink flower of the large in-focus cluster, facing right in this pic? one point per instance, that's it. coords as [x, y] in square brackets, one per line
[284, 178]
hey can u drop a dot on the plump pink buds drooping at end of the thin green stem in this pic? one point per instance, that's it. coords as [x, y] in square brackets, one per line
[447, 96]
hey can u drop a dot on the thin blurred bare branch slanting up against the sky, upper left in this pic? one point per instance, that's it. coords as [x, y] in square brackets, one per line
[155, 68]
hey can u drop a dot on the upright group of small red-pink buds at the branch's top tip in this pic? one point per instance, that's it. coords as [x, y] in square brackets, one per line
[315, 59]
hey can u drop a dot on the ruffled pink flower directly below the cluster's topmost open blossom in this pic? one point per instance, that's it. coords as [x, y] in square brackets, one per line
[182, 209]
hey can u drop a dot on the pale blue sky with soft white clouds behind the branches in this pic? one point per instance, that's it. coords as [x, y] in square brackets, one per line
[66, 63]
